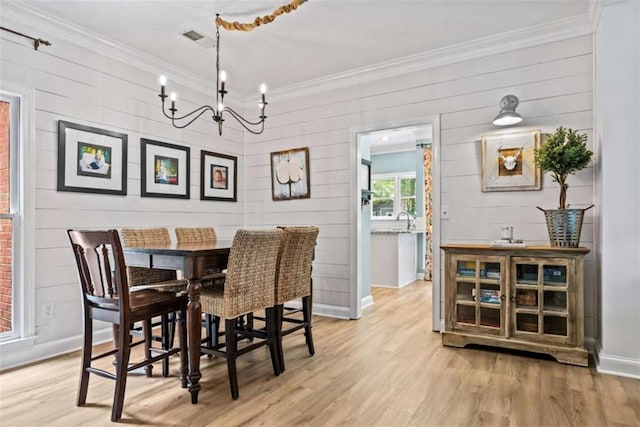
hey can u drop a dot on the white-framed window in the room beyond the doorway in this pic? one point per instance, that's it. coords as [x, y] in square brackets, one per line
[393, 194]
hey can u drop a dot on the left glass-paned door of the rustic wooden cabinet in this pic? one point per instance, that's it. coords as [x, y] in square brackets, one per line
[479, 297]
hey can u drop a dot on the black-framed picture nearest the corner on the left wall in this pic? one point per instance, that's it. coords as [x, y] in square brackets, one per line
[218, 177]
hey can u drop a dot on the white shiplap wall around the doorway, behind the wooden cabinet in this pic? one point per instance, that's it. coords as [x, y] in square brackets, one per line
[554, 84]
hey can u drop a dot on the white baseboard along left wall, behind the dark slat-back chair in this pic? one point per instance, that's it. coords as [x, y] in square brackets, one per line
[25, 355]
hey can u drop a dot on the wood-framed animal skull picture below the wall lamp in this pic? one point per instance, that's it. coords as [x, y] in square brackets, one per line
[508, 162]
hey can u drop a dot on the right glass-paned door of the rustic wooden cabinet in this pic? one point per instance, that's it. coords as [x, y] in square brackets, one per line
[539, 299]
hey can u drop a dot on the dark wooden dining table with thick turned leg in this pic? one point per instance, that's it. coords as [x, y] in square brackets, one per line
[193, 259]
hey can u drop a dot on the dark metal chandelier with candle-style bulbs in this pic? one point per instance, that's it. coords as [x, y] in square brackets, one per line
[256, 127]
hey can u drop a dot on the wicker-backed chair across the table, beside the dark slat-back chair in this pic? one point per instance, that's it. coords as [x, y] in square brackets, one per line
[141, 278]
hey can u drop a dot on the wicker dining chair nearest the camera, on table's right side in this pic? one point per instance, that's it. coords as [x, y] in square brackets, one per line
[249, 286]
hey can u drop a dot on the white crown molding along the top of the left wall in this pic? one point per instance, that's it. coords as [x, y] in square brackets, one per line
[53, 26]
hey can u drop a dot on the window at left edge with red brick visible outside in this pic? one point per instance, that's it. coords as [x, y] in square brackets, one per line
[9, 136]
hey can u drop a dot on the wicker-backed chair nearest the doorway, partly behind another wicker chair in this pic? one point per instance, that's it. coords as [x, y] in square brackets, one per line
[293, 281]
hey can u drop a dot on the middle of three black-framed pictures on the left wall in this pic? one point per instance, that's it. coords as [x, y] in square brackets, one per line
[164, 169]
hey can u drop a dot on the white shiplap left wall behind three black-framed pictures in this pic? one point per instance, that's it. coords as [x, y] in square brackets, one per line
[69, 82]
